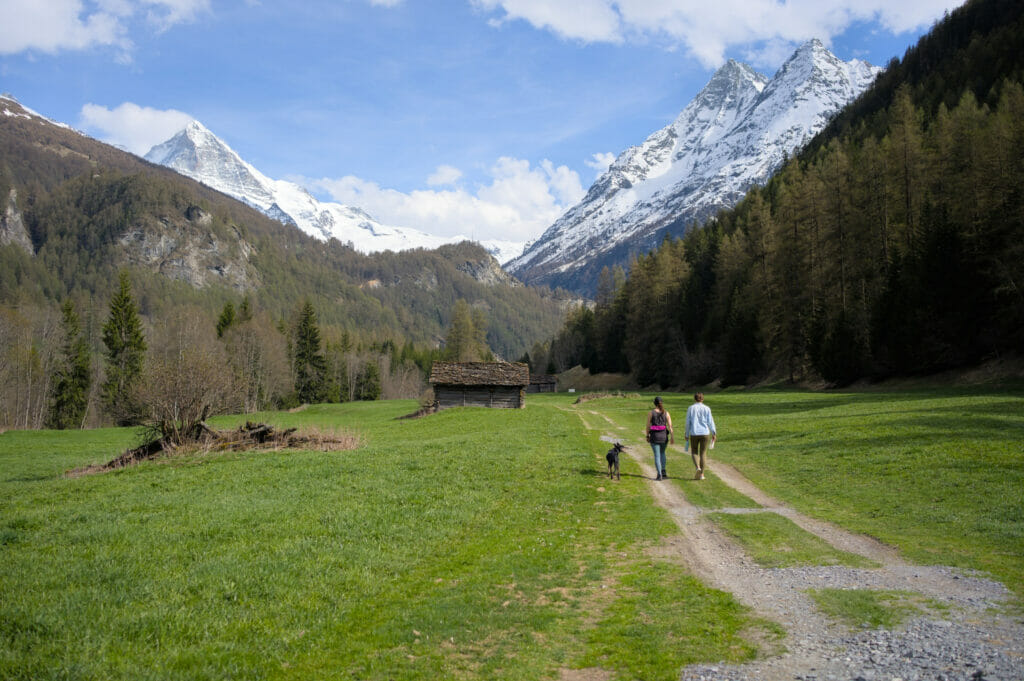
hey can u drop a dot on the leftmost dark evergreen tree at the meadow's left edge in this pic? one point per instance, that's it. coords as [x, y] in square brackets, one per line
[70, 387]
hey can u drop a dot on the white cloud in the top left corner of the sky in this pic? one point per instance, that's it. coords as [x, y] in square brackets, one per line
[52, 26]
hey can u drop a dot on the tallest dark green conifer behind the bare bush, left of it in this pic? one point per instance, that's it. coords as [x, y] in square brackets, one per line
[125, 353]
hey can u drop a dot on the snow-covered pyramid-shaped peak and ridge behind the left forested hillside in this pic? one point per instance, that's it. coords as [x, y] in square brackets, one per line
[197, 153]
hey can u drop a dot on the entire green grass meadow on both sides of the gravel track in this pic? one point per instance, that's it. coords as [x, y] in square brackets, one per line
[472, 544]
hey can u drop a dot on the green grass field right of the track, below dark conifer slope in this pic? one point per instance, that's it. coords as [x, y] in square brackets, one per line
[938, 474]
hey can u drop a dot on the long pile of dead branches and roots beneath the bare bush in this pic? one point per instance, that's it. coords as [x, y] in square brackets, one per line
[252, 437]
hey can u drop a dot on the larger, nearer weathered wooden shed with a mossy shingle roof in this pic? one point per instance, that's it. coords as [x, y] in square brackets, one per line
[498, 385]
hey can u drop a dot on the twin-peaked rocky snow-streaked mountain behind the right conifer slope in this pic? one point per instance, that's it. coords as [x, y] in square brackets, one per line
[734, 136]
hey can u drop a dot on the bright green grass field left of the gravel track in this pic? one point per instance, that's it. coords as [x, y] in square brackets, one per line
[471, 544]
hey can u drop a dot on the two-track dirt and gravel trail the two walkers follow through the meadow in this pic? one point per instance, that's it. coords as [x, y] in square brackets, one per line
[818, 648]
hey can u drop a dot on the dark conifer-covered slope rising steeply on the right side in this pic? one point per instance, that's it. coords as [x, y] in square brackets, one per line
[893, 245]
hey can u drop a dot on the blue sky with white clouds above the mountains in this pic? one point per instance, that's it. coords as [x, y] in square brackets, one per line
[480, 117]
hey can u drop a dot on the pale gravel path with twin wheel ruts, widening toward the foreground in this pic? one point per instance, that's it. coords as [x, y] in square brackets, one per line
[972, 639]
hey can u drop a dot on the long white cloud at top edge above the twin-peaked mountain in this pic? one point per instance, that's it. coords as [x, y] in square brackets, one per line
[707, 30]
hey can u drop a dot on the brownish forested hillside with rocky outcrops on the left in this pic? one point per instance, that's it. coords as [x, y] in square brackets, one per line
[76, 214]
